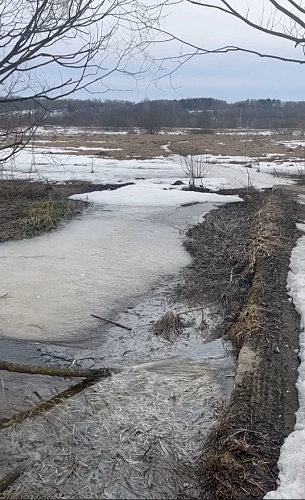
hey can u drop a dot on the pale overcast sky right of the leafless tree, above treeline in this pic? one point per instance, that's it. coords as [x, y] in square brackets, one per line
[232, 77]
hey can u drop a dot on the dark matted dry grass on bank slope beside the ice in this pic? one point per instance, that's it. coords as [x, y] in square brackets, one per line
[221, 272]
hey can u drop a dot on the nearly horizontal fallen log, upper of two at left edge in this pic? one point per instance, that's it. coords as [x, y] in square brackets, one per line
[54, 371]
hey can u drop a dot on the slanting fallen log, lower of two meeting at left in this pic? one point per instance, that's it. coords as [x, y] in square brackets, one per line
[49, 404]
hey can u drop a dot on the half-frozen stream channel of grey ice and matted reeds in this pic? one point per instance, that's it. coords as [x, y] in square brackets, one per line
[139, 433]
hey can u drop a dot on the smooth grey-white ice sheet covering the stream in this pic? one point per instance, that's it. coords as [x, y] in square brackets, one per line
[92, 265]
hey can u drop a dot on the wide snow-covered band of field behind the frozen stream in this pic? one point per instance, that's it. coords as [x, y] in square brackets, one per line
[54, 164]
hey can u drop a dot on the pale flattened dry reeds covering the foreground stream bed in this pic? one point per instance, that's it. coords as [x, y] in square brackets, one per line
[135, 435]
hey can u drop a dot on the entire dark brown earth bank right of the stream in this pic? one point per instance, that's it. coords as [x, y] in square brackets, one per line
[241, 260]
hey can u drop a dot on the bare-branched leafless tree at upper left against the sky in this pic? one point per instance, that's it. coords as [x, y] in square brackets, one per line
[52, 48]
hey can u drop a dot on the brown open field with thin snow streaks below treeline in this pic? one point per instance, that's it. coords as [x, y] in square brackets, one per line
[142, 146]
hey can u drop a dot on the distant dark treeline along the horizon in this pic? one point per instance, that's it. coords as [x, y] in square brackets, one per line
[151, 116]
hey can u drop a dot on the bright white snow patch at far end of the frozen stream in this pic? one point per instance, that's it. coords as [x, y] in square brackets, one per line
[152, 195]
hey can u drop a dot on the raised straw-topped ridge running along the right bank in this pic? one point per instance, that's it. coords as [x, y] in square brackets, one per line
[241, 453]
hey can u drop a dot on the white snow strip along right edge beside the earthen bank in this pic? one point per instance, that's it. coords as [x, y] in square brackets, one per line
[291, 463]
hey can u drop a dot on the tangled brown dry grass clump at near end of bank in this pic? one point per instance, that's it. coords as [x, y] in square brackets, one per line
[230, 460]
